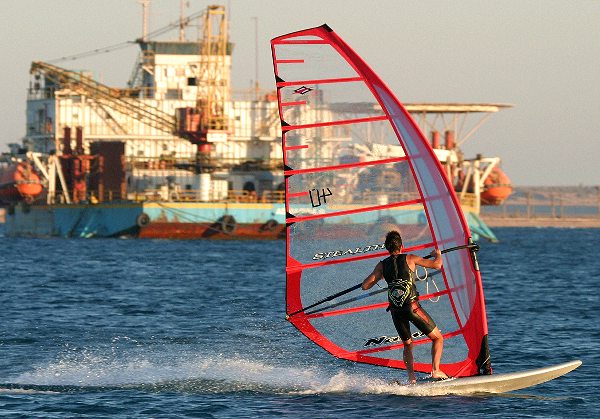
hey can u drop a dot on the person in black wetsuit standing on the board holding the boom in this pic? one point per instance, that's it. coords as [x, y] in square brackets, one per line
[399, 272]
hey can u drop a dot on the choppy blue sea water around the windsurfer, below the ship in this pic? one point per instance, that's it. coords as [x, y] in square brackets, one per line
[134, 328]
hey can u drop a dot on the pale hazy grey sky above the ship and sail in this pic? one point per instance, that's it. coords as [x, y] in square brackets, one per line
[542, 56]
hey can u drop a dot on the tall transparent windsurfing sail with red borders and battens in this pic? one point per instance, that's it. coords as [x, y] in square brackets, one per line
[356, 167]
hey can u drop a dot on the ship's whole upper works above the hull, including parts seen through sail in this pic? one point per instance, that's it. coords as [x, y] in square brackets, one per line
[176, 132]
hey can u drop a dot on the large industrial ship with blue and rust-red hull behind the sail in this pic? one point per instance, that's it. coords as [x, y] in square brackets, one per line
[176, 154]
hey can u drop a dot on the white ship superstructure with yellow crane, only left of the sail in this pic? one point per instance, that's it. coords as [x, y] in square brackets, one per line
[176, 120]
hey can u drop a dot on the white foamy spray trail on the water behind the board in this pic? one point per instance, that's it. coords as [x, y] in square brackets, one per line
[196, 374]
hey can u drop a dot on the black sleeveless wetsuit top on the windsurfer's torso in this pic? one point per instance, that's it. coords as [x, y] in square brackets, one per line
[401, 284]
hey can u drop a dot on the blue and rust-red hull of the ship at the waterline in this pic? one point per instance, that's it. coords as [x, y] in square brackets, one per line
[171, 220]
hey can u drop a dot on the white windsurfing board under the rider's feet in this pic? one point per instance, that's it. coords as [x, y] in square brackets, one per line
[497, 383]
